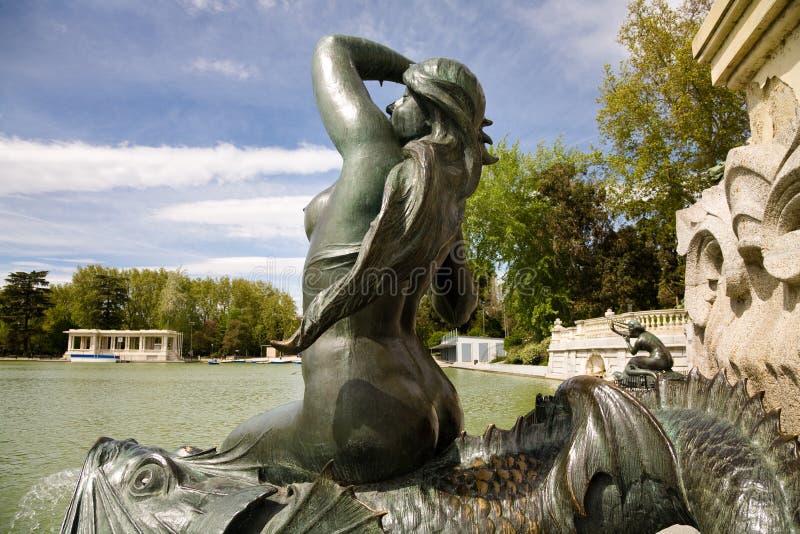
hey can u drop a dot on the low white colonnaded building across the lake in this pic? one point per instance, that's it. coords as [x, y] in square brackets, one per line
[92, 345]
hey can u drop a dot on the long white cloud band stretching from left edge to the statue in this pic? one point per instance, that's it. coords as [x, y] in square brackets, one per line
[35, 167]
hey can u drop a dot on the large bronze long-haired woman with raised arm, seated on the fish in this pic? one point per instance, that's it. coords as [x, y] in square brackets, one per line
[375, 401]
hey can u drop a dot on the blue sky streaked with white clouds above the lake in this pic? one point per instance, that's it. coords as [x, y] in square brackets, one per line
[184, 133]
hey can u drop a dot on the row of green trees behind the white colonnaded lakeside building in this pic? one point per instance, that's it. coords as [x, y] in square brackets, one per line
[220, 314]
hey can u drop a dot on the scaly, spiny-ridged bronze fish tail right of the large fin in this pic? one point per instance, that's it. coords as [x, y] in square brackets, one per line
[721, 433]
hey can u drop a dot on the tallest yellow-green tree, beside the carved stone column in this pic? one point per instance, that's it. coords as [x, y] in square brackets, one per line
[664, 125]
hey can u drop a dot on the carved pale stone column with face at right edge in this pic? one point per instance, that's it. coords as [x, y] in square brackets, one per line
[742, 238]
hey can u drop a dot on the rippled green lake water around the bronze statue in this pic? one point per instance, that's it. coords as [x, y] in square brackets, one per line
[53, 413]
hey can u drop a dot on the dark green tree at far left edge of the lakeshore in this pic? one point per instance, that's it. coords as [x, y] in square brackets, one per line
[25, 298]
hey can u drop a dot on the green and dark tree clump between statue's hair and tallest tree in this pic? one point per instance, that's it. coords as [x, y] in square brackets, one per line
[540, 220]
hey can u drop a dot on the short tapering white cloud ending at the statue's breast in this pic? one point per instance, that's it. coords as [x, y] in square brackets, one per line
[262, 217]
